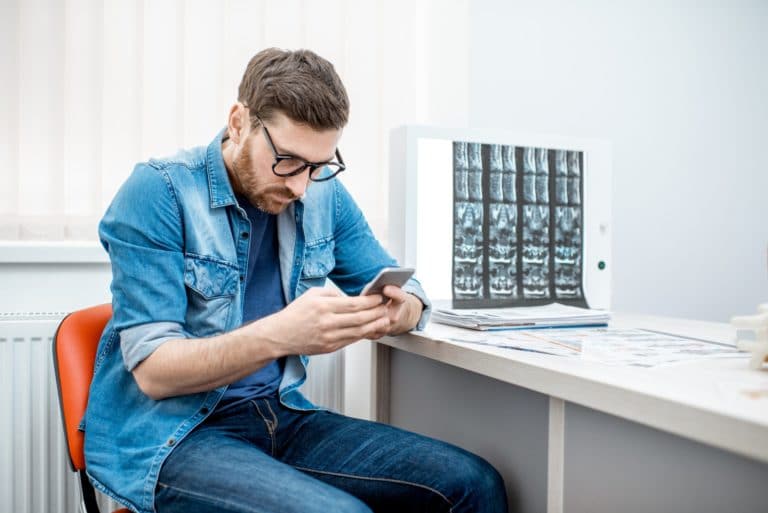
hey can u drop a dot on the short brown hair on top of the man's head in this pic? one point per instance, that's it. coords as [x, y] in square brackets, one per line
[300, 84]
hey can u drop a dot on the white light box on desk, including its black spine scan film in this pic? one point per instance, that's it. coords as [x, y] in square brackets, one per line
[493, 218]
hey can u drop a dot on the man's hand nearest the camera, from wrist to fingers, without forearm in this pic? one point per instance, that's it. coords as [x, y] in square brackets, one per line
[323, 321]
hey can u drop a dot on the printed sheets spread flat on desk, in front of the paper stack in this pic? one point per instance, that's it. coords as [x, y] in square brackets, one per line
[611, 346]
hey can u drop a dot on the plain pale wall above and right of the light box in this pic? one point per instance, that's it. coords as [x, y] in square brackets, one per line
[680, 90]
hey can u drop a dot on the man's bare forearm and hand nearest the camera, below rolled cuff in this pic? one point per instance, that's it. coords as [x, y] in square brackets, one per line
[320, 321]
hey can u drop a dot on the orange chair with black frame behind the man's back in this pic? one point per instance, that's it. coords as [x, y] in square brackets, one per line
[74, 352]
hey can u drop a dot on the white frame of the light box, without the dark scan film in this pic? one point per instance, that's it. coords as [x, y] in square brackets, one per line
[421, 203]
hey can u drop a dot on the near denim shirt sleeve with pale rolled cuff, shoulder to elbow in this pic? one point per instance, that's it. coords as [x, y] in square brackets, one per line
[142, 232]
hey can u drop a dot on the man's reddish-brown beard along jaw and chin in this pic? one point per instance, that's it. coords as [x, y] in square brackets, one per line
[271, 198]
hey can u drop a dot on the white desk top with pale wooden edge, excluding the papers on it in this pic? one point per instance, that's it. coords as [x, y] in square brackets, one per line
[720, 402]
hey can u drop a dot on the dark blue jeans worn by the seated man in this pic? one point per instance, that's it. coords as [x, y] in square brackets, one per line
[261, 456]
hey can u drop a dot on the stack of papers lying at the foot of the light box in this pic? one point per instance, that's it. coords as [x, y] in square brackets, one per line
[545, 316]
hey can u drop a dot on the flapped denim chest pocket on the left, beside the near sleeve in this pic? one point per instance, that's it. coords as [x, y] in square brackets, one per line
[211, 289]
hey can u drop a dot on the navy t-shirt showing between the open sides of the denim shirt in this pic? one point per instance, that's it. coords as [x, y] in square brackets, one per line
[263, 296]
